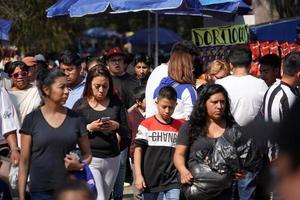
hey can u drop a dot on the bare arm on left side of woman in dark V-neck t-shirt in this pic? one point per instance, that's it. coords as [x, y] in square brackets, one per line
[26, 141]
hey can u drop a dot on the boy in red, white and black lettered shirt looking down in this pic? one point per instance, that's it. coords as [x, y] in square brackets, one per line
[156, 175]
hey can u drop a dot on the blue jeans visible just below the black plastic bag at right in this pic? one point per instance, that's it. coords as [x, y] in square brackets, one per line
[247, 186]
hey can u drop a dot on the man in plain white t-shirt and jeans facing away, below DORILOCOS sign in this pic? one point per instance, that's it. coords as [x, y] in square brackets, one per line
[246, 94]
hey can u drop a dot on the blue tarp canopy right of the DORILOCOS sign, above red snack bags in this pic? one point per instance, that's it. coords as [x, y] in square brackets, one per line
[283, 31]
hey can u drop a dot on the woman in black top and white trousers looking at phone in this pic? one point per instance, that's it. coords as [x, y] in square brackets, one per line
[106, 121]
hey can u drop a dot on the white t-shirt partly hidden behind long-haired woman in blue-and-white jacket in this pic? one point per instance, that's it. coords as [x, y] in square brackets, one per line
[155, 77]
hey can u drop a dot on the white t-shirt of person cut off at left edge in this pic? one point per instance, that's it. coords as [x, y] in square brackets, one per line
[9, 118]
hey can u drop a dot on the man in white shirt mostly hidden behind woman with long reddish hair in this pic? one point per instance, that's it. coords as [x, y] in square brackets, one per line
[161, 72]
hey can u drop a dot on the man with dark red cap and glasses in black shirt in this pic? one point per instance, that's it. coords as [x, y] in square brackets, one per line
[124, 83]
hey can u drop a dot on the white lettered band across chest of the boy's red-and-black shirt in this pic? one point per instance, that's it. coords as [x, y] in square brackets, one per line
[162, 138]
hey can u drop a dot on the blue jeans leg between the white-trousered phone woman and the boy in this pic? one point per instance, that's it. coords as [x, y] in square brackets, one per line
[119, 184]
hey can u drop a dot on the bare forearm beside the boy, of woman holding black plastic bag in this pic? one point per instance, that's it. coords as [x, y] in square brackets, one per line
[179, 162]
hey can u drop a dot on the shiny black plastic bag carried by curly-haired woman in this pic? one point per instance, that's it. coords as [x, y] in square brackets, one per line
[213, 171]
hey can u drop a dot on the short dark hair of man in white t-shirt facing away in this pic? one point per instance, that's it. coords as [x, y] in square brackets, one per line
[240, 56]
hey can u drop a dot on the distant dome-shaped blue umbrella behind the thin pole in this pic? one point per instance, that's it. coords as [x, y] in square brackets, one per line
[166, 37]
